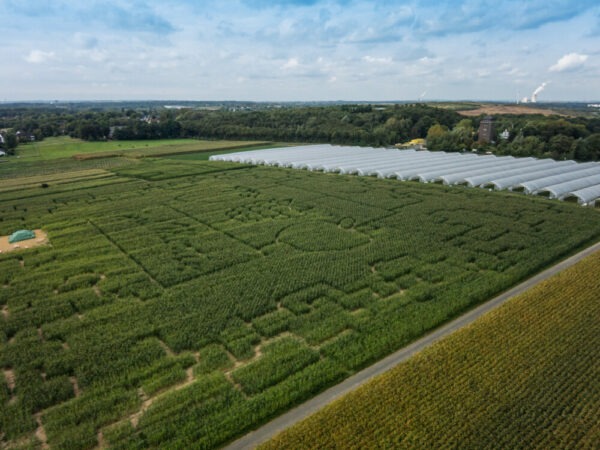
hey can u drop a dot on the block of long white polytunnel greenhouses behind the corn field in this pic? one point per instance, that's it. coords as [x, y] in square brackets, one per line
[557, 179]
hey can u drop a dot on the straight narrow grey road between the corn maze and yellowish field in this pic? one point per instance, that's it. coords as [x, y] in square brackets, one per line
[270, 429]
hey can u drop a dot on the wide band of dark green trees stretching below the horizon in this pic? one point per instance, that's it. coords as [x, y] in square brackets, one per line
[362, 124]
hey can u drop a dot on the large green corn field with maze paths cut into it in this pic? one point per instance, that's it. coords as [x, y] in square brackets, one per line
[182, 303]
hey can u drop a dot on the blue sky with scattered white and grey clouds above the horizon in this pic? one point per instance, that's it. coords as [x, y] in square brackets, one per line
[299, 50]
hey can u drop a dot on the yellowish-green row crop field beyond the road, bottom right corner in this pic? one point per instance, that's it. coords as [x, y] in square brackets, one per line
[524, 376]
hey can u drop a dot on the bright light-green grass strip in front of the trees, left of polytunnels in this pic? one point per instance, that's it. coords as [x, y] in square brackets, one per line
[66, 147]
